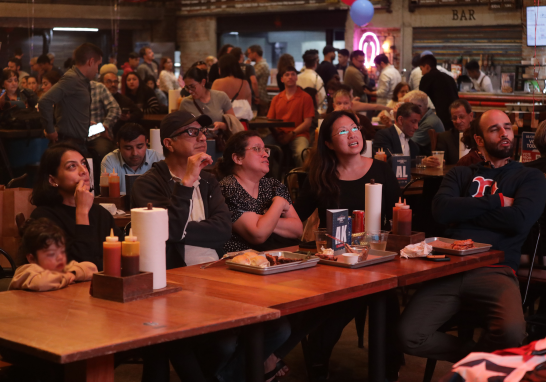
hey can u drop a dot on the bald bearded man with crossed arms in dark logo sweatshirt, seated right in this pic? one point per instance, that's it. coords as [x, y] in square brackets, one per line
[495, 202]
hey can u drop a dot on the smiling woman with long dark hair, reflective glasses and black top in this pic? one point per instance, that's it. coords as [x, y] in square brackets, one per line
[339, 172]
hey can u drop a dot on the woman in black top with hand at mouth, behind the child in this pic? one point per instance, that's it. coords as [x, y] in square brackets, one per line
[62, 194]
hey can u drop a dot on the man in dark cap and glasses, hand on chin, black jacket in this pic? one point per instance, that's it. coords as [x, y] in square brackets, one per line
[199, 219]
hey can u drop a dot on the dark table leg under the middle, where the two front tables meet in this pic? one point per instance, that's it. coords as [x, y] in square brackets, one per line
[254, 347]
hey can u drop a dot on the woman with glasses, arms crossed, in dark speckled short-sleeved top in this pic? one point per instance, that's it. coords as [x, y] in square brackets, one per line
[261, 209]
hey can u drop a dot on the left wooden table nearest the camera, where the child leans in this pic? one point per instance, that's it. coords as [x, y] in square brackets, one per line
[71, 327]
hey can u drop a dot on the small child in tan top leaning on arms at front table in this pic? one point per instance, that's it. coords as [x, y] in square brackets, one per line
[43, 244]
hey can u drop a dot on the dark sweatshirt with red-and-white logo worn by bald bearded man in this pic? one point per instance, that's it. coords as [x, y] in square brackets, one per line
[470, 201]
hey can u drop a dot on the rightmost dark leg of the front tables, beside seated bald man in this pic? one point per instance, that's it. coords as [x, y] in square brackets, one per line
[376, 335]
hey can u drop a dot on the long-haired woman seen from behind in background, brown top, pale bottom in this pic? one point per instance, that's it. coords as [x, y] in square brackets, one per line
[232, 82]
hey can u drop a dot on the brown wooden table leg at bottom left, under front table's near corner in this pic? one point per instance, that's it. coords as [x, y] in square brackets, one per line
[98, 369]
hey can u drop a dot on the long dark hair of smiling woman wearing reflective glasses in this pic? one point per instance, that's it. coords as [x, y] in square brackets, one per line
[323, 174]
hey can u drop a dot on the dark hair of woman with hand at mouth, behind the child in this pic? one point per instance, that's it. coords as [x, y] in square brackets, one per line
[44, 194]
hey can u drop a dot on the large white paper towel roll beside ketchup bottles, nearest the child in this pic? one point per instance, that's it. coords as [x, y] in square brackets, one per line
[151, 227]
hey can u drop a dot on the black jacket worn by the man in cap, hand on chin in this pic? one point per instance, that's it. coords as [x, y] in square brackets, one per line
[157, 187]
